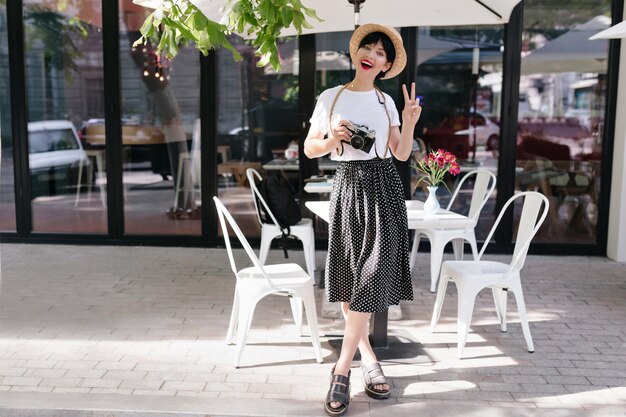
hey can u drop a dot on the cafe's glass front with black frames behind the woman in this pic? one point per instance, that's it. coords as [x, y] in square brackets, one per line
[104, 142]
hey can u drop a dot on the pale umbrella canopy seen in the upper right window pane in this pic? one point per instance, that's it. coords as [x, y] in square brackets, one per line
[571, 52]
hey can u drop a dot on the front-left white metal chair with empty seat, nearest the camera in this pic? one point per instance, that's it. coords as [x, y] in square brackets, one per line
[258, 281]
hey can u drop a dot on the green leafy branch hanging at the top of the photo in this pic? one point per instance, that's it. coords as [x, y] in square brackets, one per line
[176, 23]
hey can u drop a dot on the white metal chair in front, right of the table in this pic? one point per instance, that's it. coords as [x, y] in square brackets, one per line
[470, 277]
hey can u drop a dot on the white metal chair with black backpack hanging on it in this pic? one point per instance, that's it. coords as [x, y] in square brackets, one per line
[270, 231]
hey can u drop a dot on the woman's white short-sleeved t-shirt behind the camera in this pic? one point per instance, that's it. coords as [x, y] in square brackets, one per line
[361, 107]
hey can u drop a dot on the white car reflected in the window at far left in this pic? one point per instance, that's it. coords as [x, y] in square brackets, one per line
[55, 153]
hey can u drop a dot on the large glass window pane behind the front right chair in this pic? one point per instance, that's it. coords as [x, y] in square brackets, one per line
[561, 115]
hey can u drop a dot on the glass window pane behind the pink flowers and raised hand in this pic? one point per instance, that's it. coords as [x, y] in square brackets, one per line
[460, 90]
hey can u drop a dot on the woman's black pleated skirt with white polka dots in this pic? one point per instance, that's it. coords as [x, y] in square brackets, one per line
[368, 250]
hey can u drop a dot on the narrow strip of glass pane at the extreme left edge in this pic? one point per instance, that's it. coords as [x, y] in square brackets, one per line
[7, 189]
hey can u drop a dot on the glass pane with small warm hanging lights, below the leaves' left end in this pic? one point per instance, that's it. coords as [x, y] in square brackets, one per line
[160, 133]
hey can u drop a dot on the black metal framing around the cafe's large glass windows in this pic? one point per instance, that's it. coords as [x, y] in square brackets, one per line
[208, 115]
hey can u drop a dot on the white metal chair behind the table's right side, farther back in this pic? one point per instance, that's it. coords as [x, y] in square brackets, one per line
[484, 184]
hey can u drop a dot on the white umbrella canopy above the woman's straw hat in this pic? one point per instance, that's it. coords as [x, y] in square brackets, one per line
[338, 15]
